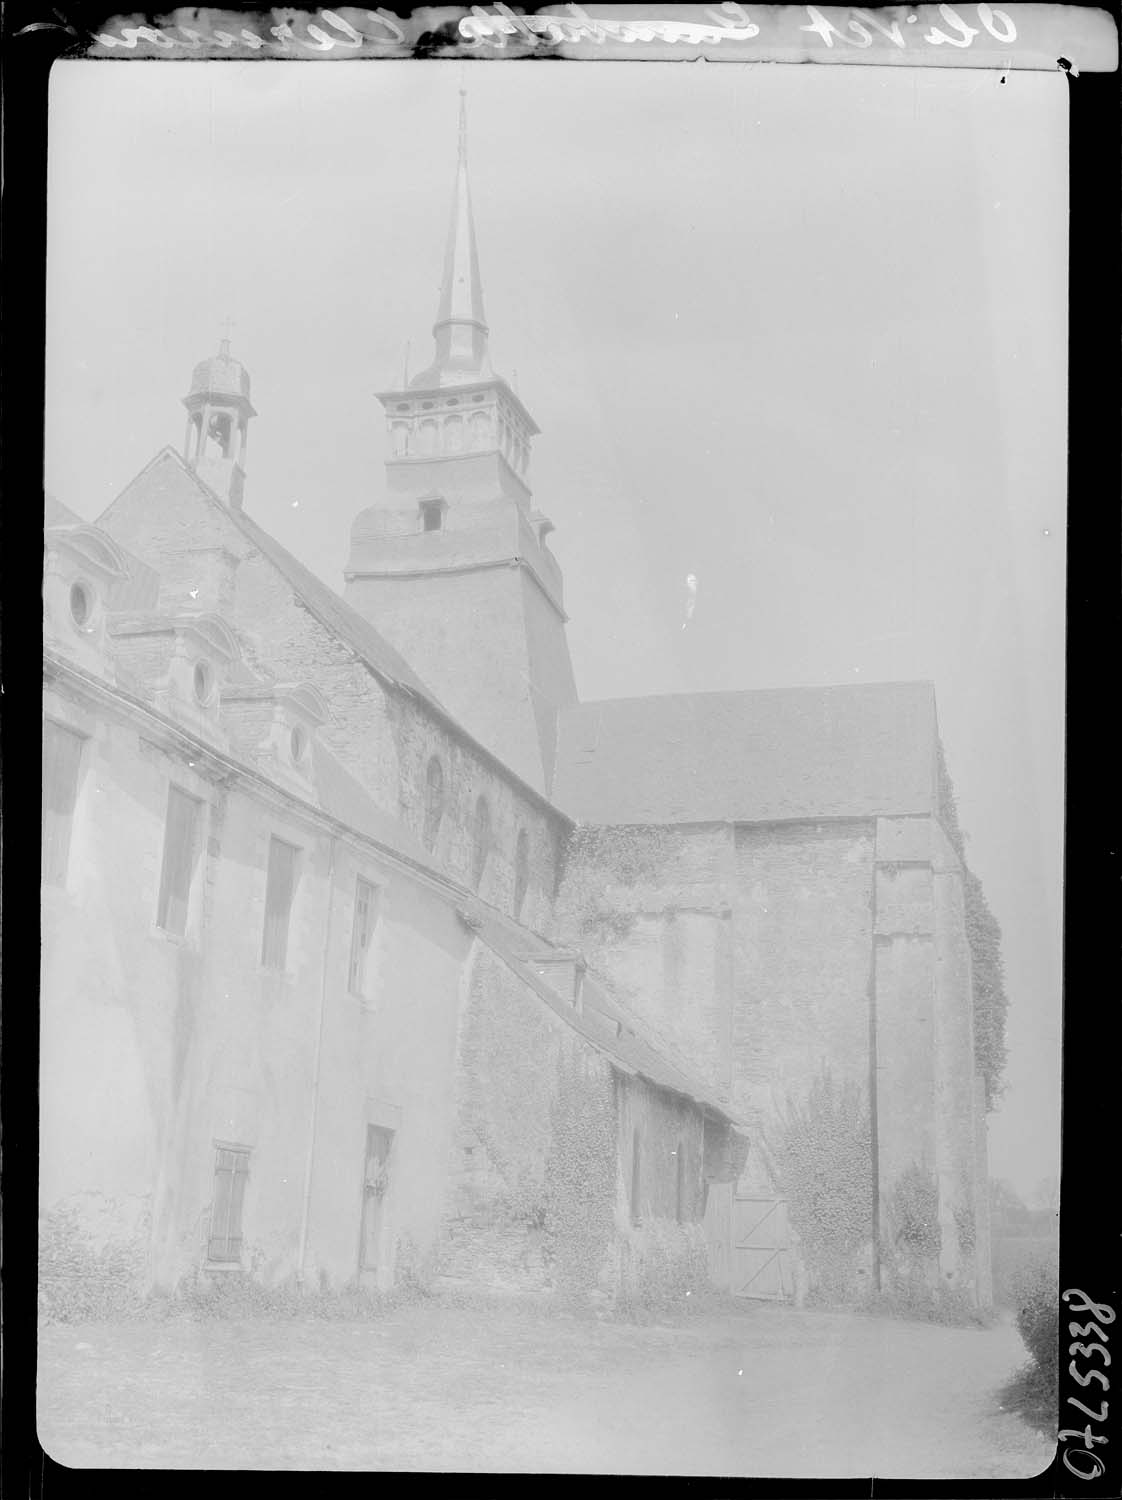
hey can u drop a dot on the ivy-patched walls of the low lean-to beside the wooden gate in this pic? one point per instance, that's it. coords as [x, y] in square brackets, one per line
[542, 1165]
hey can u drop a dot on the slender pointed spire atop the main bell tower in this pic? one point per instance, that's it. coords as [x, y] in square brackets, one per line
[461, 328]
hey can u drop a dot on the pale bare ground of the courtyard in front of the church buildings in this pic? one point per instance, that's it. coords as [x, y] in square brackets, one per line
[760, 1393]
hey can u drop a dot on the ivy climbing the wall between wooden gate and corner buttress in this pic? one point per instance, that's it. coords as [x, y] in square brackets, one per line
[823, 1151]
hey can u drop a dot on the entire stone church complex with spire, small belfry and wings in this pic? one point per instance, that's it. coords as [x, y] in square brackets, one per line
[371, 953]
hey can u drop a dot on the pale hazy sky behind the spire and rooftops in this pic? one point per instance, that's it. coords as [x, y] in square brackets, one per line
[797, 331]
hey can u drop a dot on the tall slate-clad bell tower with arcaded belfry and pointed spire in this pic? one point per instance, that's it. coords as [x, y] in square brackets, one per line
[451, 563]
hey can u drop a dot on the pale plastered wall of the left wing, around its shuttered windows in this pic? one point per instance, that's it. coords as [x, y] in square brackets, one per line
[155, 1048]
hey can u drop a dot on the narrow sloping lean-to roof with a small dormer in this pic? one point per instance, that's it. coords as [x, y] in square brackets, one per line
[601, 1021]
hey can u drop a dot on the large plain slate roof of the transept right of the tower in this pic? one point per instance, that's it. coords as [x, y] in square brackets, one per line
[757, 757]
